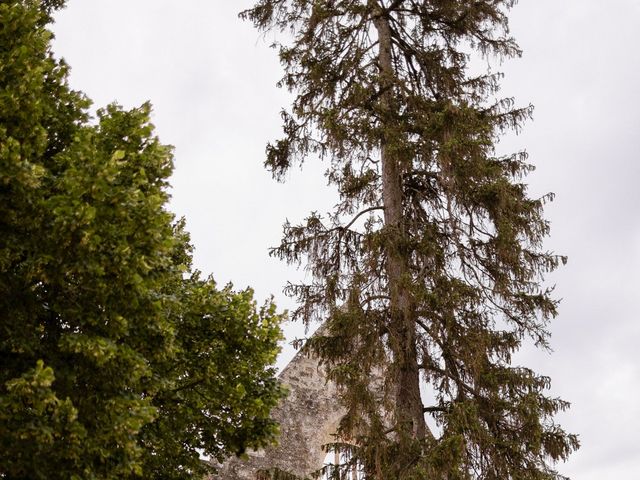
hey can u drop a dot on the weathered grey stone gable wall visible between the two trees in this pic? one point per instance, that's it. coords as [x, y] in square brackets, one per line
[308, 418]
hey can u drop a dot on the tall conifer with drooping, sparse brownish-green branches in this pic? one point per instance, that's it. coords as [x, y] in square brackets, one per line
[430, 267]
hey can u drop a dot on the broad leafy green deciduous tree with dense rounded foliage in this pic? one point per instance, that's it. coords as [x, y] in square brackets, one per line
[117, 360]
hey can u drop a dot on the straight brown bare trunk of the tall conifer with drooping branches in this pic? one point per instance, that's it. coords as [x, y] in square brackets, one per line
[408, 403]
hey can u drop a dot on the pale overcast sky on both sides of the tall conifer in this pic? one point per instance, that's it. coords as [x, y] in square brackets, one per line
[211, 79]
